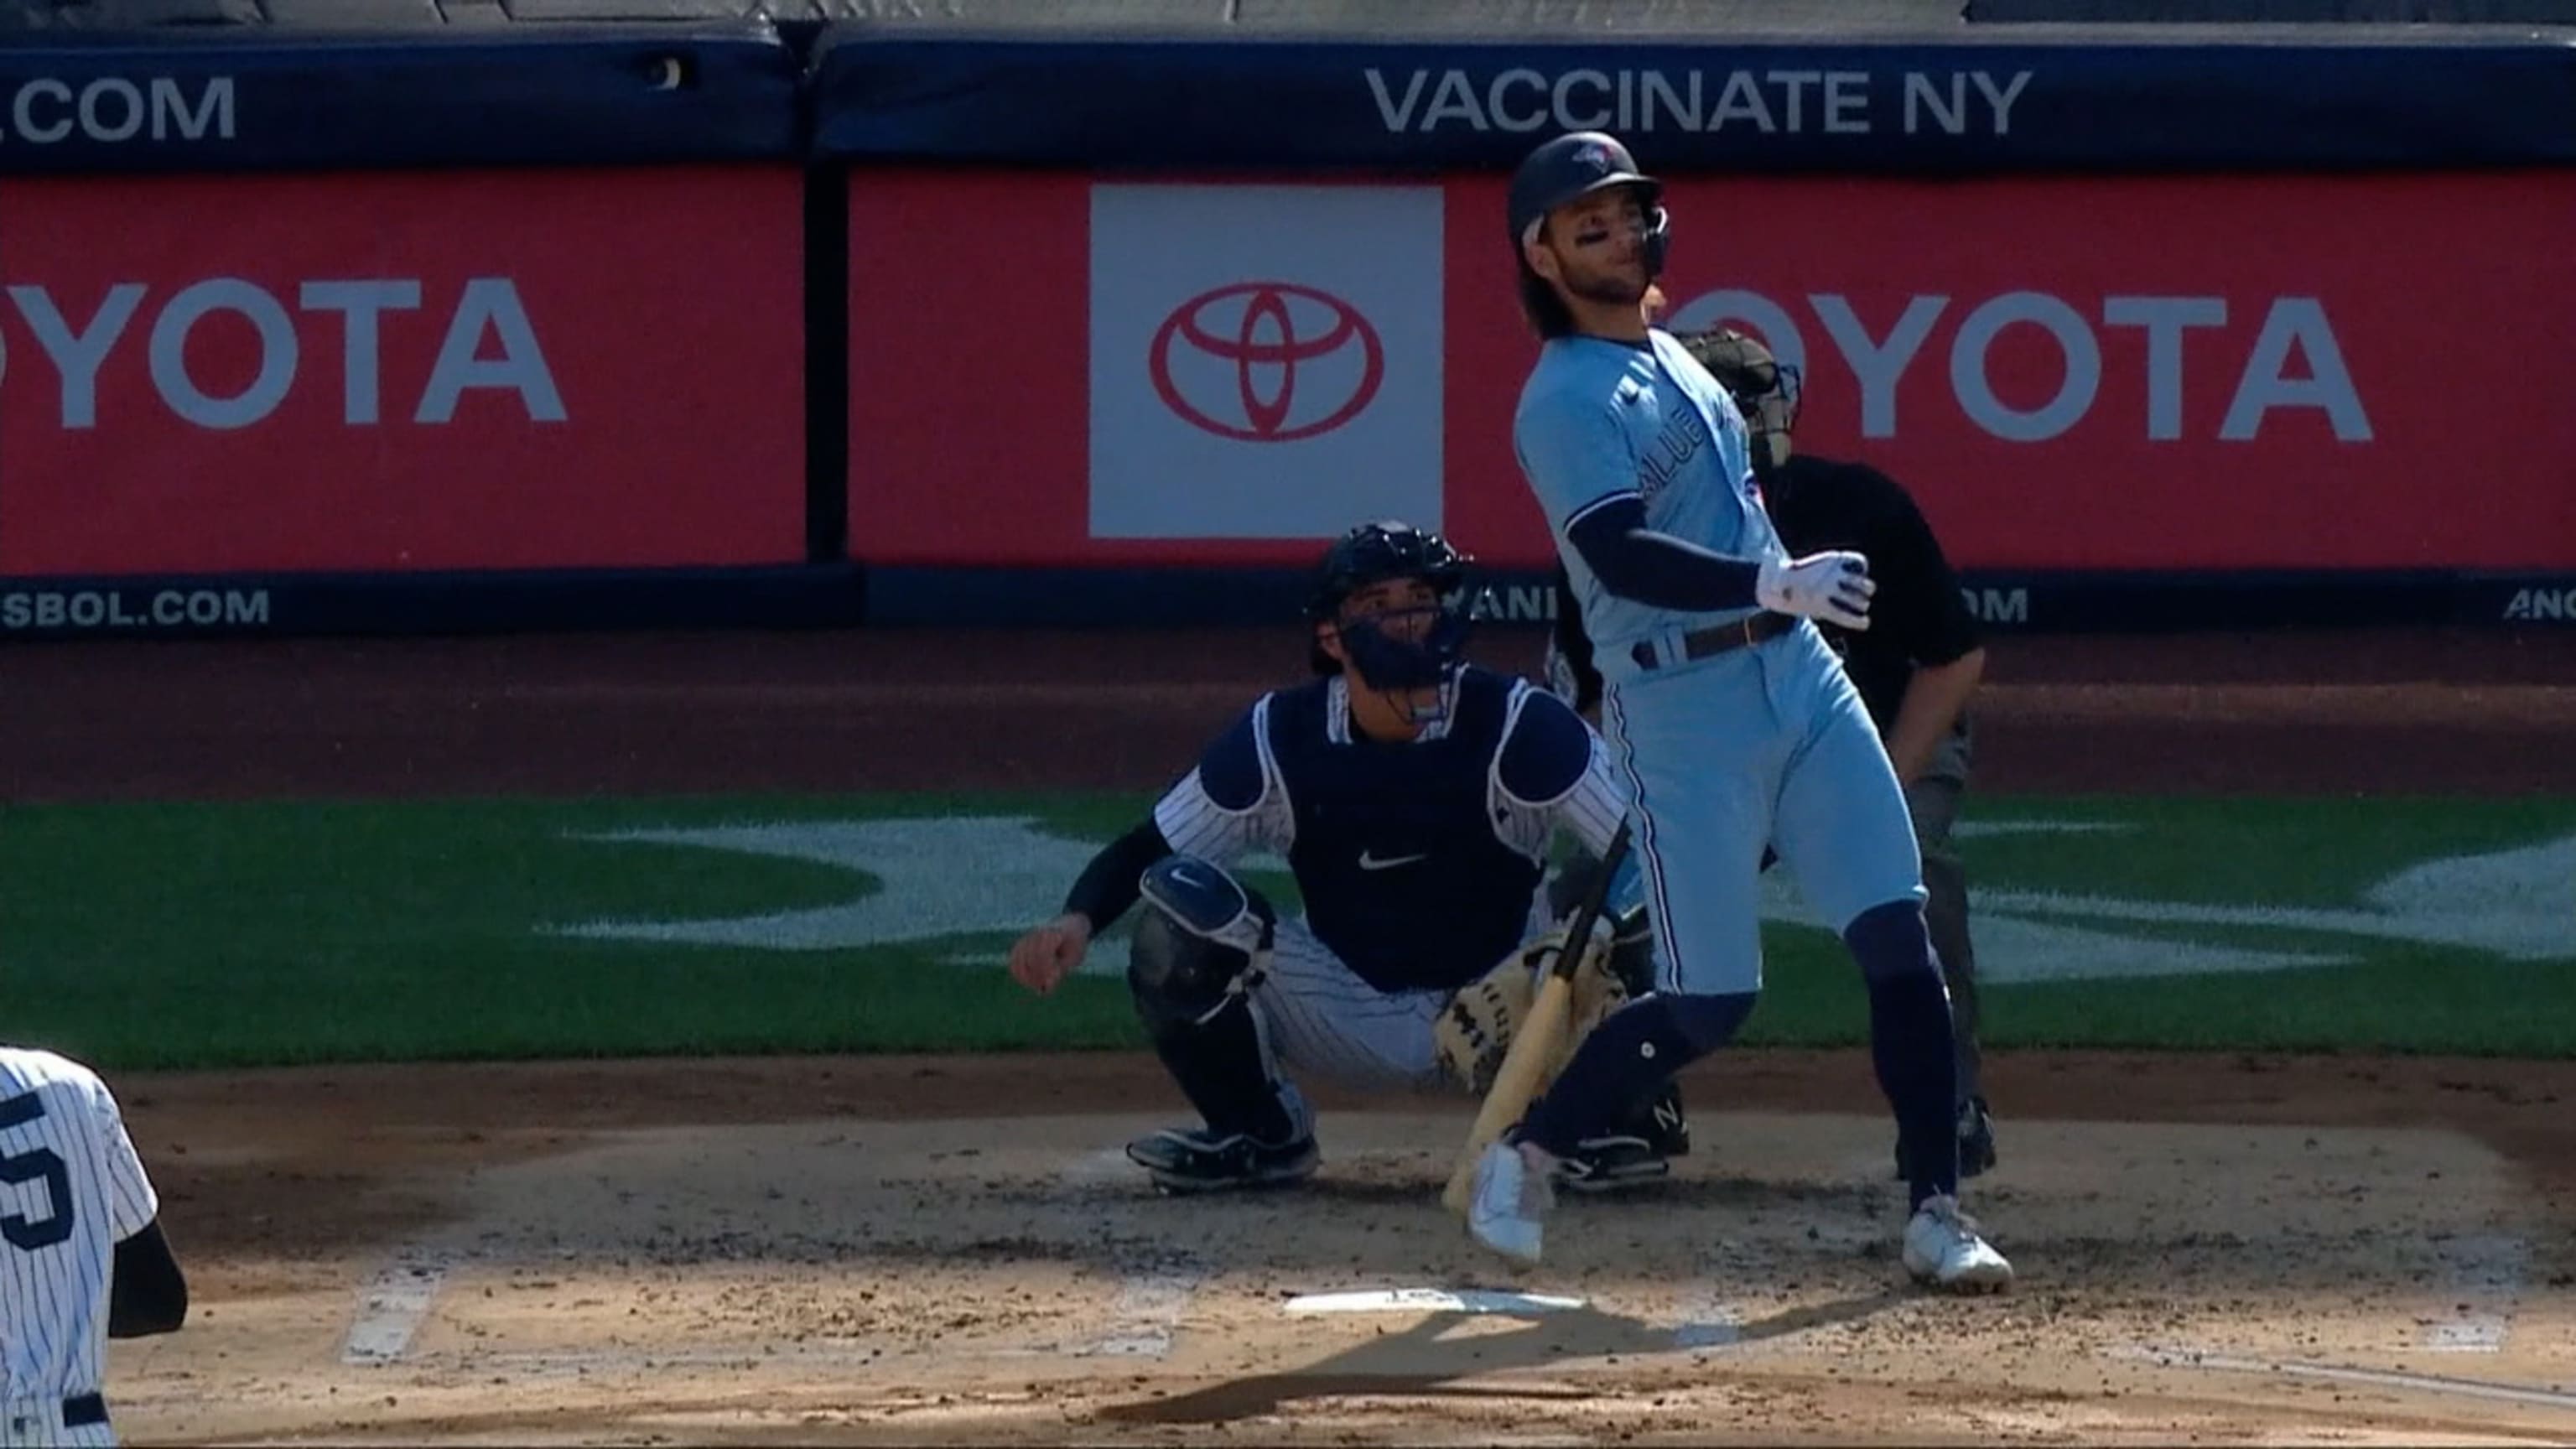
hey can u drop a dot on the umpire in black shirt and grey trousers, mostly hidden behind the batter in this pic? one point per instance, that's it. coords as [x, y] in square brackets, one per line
[1915, 666]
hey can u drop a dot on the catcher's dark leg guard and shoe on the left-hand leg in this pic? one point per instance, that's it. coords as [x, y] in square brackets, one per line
[1199, 948]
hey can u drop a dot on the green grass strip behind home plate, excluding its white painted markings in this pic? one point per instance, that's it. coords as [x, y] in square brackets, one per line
[249, 935]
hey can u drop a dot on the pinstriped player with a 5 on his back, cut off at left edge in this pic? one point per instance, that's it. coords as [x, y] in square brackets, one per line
[81, 1249]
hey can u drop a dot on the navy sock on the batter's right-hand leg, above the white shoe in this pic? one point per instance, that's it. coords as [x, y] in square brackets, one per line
[1910, 1040]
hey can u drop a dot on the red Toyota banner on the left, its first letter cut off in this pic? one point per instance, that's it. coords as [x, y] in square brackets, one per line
[401, 373]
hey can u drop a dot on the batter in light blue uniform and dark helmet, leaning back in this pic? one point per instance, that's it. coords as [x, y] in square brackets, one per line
[1730, 718]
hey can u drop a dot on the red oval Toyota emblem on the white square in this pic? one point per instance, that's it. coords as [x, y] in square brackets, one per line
[1292, 357]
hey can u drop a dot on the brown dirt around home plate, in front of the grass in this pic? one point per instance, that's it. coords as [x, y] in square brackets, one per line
[900, 1249]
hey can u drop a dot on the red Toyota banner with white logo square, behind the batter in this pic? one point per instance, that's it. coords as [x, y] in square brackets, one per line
[2088, 375]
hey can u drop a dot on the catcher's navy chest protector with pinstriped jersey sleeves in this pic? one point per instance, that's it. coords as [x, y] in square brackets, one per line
[1418, 862]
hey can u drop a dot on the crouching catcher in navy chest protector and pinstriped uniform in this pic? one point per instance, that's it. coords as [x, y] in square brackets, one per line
[1416, 801]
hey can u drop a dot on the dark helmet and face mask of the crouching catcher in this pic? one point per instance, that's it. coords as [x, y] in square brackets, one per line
[1382, 553]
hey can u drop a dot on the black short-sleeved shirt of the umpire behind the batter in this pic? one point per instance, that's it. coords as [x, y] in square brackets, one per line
[1918, 615]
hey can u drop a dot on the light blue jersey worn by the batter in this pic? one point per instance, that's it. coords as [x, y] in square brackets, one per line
[1604, 422]
